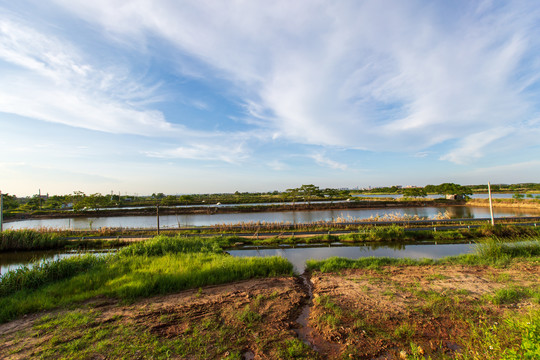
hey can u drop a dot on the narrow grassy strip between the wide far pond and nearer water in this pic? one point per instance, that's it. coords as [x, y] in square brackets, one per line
[47, 239]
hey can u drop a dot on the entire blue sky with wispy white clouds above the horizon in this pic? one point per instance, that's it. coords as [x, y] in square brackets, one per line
[148, 96]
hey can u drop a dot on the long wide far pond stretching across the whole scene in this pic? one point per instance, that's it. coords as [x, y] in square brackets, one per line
[293, 217]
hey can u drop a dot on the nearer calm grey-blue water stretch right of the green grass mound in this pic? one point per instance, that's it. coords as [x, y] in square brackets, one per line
[300, 254]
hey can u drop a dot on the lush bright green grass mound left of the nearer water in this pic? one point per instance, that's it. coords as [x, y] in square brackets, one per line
[158, 266]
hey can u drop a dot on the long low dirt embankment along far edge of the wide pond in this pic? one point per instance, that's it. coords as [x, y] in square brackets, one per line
[229, 209]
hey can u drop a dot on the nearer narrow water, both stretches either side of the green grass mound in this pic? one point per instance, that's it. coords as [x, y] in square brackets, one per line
[297, 255]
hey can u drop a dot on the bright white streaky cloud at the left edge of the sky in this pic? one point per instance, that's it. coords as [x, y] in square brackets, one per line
[47, 79]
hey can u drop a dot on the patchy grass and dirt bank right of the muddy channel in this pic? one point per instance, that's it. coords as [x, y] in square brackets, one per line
[480, 306]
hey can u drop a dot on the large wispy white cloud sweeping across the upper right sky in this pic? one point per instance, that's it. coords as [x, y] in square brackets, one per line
[339, 74]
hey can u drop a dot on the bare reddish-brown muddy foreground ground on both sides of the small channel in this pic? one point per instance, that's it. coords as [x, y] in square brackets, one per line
[358, 314]
